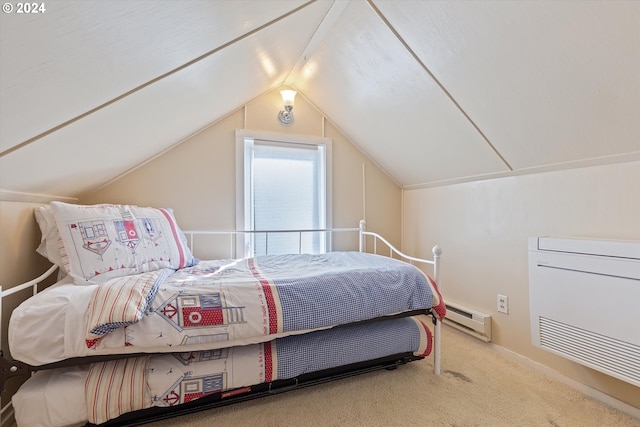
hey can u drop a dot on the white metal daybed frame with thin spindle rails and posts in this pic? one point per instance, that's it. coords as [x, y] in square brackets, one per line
[6, 411]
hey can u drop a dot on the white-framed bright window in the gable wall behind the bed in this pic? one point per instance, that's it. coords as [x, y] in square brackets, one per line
[283, 183]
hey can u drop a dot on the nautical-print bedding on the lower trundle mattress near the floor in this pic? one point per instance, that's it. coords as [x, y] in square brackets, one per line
[58, 397]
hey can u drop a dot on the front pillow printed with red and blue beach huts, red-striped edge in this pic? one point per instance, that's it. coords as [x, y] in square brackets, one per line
[100, 242]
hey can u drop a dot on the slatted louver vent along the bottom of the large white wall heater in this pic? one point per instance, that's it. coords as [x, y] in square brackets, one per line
[618, 358]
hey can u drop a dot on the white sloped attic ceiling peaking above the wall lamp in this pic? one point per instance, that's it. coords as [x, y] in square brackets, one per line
[434, 91]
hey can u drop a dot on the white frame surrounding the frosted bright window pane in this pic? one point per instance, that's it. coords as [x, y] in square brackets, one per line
[241, 175]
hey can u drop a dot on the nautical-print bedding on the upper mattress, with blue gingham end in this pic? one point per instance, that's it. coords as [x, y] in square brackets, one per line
[225, 303]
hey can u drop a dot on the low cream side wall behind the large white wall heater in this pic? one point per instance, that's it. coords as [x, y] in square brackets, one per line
[483, 228]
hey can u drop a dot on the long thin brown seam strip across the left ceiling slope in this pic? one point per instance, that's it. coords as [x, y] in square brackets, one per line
[152, 81]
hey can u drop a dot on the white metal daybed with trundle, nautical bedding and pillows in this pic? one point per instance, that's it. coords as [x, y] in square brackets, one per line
[137, 328]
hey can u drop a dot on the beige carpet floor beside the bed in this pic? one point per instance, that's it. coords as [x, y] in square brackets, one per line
[468, 393]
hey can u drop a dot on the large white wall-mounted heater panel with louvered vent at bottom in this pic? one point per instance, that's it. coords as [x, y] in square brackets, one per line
[584, 301]
